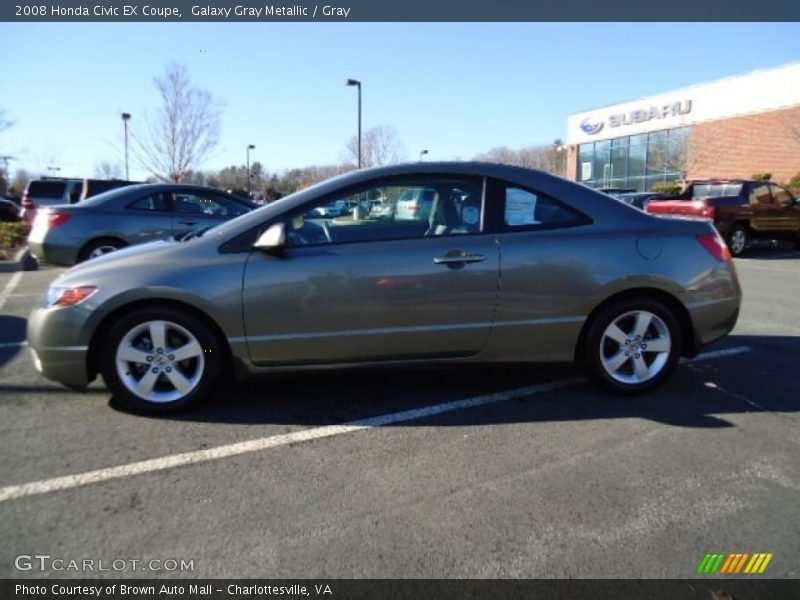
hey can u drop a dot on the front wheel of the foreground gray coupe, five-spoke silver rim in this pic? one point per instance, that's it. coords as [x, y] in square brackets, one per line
[202, 371]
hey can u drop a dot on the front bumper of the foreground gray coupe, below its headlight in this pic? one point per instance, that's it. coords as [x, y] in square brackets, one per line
[57, 347]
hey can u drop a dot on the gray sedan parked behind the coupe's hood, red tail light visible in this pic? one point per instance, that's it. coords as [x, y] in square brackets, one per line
[126, 216]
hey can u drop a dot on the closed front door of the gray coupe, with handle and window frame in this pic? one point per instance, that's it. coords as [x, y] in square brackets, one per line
[353, 288]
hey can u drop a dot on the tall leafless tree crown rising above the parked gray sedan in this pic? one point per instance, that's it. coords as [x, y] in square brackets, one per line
[184, 130]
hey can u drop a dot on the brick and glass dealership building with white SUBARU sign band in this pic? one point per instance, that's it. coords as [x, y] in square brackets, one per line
[733, 127]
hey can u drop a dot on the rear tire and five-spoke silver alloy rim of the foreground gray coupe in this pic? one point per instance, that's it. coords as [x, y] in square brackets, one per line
[598, 345]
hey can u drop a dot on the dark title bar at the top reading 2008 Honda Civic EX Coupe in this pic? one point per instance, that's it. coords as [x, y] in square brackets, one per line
[406, 10]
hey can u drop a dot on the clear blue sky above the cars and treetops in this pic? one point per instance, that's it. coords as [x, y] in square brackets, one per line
[454, 89]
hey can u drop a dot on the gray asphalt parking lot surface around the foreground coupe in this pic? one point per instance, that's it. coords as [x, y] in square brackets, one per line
[527, 472]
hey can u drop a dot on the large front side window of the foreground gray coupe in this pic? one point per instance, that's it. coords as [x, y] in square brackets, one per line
[406, 210]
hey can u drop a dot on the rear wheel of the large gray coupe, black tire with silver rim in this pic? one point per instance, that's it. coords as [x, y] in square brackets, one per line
[632, 346]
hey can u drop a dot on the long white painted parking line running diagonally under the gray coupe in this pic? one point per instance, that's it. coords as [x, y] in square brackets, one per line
[199, 456]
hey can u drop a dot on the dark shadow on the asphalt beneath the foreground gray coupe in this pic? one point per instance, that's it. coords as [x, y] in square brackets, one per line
[698, 395]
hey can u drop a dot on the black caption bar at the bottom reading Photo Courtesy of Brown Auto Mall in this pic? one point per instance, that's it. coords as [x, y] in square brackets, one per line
[744, 588]
